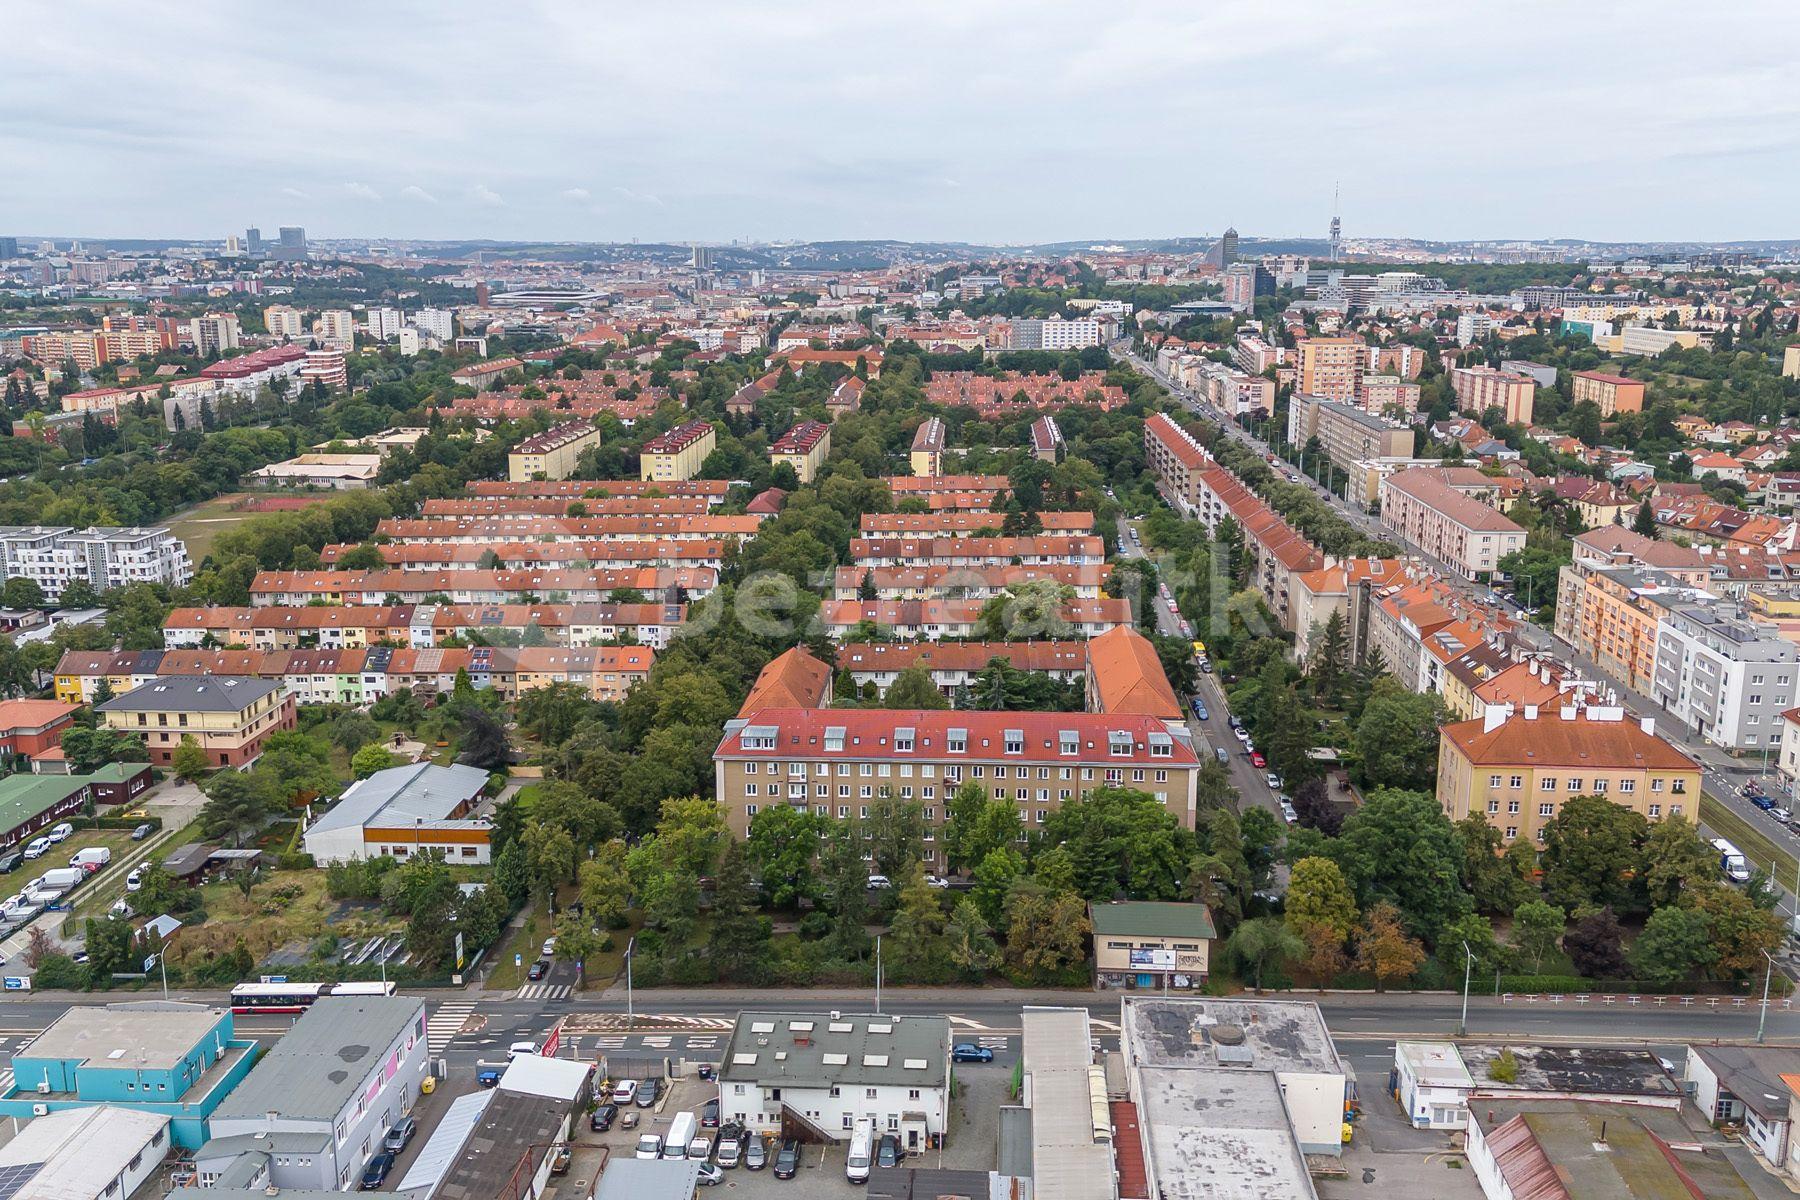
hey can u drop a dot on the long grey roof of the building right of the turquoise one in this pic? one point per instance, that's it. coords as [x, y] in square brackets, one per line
[319, 1064]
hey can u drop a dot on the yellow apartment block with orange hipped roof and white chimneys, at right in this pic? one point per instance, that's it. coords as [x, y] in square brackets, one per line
[1518, 767]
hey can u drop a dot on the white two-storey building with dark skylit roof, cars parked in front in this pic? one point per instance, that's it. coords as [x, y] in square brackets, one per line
[832, 1071]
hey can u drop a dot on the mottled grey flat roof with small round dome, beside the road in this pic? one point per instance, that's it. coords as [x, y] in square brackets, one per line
[1243, 1035]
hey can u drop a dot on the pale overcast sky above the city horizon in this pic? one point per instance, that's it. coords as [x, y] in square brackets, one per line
[991, 121]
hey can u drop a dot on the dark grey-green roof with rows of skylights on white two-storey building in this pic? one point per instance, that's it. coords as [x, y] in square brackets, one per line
[820, 1050]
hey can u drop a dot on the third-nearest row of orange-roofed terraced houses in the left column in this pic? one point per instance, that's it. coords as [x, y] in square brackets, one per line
[478, 587]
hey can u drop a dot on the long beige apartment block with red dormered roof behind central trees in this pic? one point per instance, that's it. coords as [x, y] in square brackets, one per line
[838, 762]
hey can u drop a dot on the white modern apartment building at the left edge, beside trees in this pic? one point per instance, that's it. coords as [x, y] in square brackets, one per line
[103, 559]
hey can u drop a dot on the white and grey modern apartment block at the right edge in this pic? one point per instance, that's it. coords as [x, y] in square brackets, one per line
[1727, 679]
